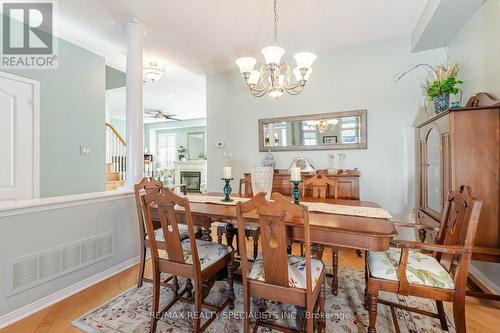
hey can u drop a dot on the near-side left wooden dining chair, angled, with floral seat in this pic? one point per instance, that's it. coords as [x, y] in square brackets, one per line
[194, 259]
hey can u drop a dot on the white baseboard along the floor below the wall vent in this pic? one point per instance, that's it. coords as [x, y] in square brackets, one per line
[58, 296]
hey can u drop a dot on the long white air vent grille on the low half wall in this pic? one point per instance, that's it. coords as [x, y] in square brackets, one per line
[37, 268]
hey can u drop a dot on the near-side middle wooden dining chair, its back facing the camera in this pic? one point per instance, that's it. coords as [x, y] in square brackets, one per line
[275, 275]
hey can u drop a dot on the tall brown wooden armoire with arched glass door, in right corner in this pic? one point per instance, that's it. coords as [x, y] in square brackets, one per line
[461, 147]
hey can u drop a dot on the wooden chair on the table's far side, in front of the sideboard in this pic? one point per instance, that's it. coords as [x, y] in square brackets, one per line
[319, 186]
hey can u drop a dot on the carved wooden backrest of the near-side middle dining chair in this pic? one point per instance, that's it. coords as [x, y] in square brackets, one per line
[272, 217]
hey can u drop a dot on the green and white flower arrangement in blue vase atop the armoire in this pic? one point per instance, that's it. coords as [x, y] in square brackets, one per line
[441, 82]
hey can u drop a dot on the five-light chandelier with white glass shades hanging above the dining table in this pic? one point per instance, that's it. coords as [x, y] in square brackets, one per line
[275, 76]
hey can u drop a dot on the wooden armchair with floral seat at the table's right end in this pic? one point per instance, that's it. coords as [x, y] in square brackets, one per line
[442, 276]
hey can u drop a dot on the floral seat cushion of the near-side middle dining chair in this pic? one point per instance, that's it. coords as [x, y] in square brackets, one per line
[296, 271]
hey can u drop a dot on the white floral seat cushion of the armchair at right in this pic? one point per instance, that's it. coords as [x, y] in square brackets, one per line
[422, 269]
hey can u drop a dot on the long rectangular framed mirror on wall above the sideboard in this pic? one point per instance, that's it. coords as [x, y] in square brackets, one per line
[334, 130]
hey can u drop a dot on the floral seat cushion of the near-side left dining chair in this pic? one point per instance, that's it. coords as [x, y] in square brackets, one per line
[208, 252]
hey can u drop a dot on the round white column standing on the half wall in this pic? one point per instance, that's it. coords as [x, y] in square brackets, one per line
[134, 105]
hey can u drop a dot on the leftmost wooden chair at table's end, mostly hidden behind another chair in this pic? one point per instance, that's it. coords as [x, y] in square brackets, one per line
[149, 184]
